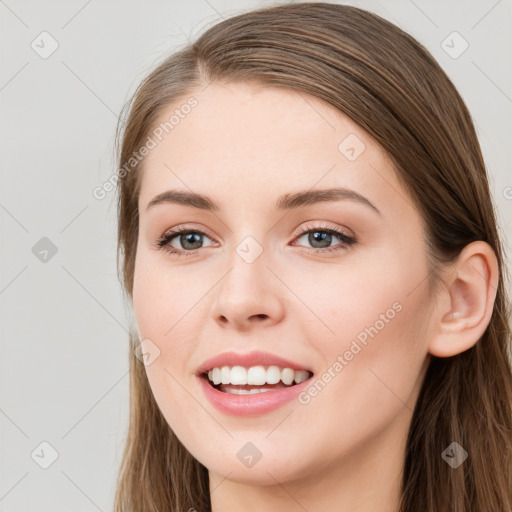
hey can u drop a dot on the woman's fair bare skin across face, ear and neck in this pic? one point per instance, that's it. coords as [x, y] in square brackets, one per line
[245, 145]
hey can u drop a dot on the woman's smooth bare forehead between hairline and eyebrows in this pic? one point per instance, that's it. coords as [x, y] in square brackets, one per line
[256, 142]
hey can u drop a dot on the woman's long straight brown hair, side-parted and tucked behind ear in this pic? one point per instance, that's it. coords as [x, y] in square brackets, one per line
[388, 83]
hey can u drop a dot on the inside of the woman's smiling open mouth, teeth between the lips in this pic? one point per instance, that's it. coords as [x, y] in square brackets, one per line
[238, 380]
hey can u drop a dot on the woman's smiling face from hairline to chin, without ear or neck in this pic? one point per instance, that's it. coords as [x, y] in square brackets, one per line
[262, 272]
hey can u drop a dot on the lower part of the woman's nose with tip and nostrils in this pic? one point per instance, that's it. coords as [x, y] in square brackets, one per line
[249, 295]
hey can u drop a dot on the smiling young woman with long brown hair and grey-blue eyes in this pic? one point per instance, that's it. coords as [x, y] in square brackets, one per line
[309, 245]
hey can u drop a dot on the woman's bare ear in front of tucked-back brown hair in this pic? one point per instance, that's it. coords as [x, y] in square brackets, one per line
[465, 303]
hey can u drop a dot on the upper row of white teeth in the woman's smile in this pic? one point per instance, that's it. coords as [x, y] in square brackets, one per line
[256, 375]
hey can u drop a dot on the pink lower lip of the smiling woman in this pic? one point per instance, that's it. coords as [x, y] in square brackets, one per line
[251, 405]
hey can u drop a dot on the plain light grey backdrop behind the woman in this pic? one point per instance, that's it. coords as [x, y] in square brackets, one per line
[64, 324]
